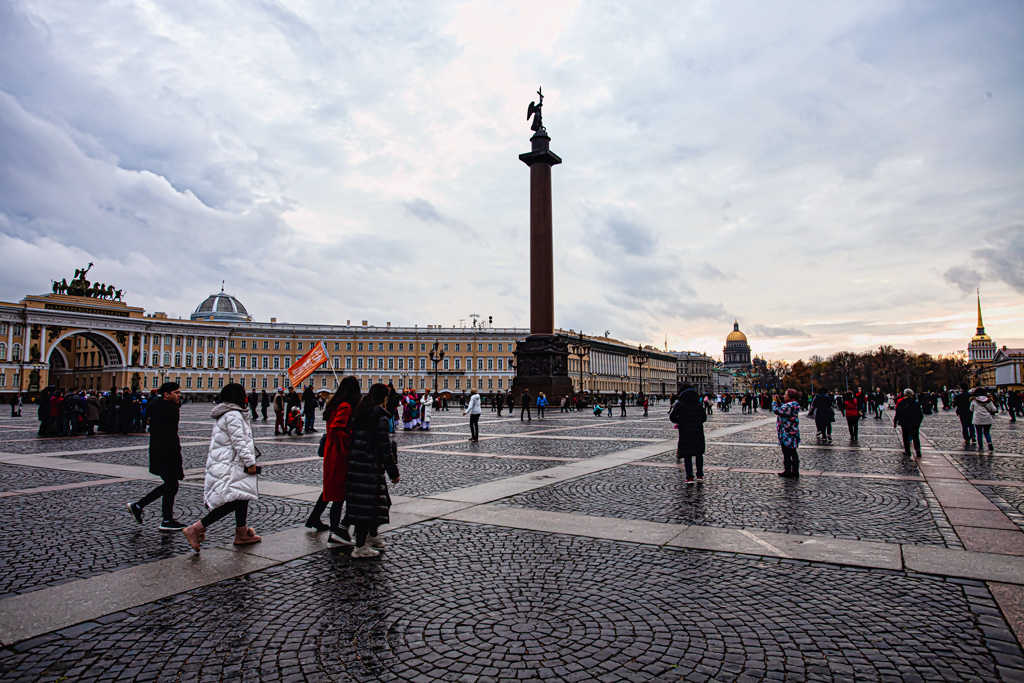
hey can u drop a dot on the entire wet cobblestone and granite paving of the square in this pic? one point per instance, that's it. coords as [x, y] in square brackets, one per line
[465, 602]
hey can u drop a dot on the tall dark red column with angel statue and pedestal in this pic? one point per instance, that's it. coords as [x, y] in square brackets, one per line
[542, 361]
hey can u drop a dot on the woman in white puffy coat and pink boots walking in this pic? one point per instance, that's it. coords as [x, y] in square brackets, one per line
[231, 469]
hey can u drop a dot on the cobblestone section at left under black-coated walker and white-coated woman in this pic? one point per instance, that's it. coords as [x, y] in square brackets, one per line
[53, 538]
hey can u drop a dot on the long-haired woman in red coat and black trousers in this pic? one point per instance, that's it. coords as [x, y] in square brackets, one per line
[337, 442]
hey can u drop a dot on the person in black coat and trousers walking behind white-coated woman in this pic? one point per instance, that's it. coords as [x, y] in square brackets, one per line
[165, 456]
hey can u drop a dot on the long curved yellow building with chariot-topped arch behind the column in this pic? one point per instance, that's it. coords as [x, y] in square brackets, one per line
[88, 338]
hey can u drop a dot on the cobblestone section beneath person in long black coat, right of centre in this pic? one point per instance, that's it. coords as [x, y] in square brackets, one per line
[844, 508]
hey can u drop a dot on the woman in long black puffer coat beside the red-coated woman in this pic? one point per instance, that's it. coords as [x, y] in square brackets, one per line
[367, 500]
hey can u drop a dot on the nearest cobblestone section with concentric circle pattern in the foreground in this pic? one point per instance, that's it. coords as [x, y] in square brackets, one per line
[520, 612]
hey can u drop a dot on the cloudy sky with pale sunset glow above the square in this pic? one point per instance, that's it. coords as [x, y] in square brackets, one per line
[836, 176]
